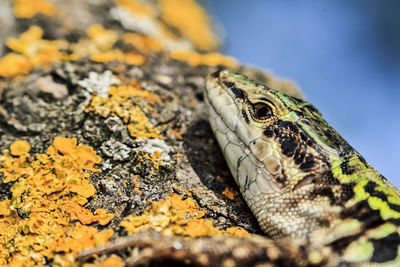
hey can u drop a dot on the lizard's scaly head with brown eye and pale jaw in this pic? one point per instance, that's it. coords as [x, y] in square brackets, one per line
[279, 150]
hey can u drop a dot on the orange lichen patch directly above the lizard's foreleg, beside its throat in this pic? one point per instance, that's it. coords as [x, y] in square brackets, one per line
[175, 216]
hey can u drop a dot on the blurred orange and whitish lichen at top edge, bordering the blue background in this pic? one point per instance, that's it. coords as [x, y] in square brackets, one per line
[191, 25]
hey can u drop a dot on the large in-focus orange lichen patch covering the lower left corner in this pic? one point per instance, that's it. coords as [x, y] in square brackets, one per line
[45, 219]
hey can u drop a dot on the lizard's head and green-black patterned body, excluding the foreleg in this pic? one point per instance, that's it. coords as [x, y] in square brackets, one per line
[299, 176]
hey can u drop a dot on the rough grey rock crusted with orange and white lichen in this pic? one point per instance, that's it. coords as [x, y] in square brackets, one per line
[120, 86]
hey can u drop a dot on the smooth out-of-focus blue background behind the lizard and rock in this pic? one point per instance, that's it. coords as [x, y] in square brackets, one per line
[344, 55]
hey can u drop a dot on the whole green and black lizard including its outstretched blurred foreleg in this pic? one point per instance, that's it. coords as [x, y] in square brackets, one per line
[315, 197]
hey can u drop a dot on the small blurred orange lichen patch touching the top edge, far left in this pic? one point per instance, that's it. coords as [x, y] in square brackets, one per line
[27, 9]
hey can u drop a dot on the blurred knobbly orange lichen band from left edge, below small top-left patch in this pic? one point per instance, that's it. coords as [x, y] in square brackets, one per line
[30, 50]
